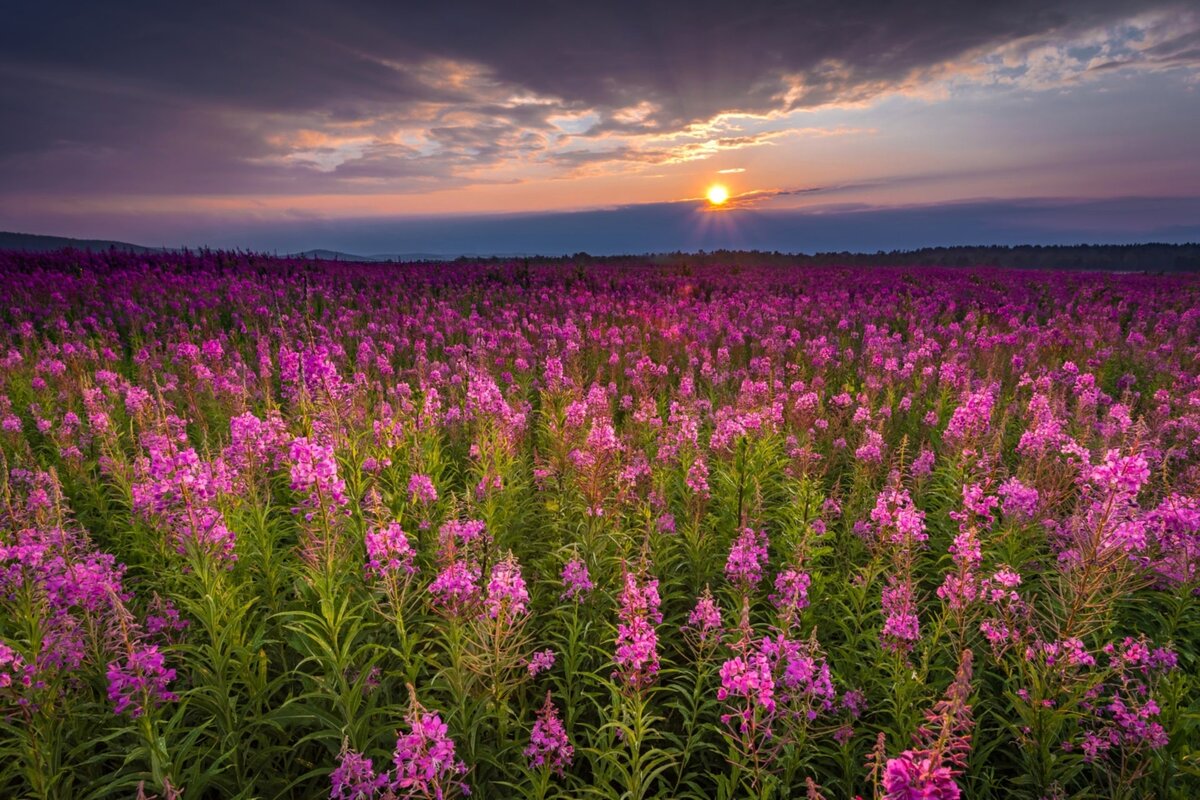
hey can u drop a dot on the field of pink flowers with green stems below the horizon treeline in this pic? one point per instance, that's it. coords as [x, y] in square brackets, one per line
[286, 530]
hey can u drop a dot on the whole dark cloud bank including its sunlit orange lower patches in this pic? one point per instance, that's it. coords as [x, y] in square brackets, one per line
[171, 98]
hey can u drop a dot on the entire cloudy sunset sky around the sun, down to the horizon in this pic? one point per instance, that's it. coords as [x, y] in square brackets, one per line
[547, 128]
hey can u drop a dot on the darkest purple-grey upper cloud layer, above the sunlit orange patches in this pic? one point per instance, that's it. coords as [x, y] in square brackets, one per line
[693, 57]
